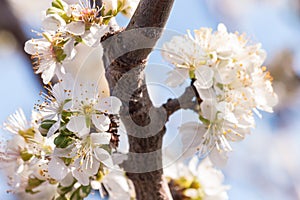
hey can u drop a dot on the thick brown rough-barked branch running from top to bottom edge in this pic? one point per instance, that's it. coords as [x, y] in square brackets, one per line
[125, 59]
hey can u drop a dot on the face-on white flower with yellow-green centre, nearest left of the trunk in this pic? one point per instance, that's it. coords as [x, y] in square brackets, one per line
[90, 110]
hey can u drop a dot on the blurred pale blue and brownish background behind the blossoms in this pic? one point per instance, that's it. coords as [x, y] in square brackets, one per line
[266, 165]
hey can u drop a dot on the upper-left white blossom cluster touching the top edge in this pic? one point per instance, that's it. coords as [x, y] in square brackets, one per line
[65, 26]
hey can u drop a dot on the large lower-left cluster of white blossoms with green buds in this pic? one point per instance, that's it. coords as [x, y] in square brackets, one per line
[69, 146]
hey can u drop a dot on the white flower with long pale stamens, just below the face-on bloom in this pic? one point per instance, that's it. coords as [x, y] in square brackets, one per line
[86, 154]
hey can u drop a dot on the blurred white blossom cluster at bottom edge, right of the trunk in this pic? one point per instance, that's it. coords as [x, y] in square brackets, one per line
[196, 181]
